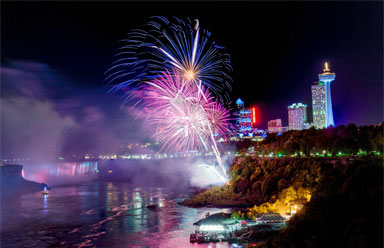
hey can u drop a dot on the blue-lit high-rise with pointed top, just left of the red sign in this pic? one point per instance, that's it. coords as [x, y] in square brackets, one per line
[243, 120]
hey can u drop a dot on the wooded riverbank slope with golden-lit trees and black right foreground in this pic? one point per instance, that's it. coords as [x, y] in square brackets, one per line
[342, 199]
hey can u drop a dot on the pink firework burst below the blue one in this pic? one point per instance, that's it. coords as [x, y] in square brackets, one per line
[183, 114]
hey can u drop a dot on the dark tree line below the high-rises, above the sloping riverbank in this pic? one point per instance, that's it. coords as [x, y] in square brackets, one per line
[348, 140]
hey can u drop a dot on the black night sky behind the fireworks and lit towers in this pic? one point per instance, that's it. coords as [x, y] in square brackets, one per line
[277, 49]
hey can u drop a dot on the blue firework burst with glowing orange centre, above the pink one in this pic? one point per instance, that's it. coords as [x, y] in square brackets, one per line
[175, 45]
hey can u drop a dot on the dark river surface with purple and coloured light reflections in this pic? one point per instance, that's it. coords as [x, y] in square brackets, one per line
[101, 214]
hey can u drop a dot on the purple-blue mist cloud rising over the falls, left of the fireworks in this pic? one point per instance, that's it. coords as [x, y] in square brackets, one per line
[45, 115]
